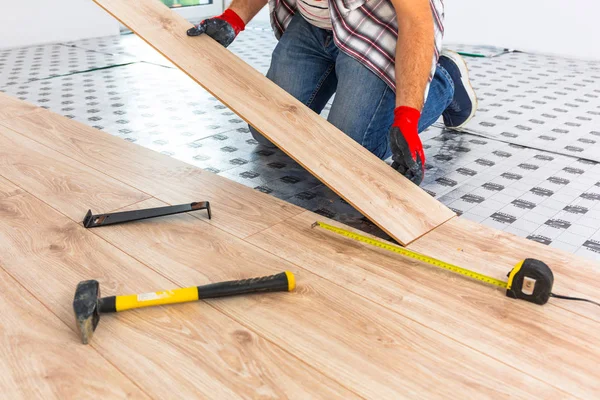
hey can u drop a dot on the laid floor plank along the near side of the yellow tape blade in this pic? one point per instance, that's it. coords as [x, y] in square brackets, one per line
[471, 313]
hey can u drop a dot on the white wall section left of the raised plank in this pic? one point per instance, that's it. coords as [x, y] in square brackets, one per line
[30, 22]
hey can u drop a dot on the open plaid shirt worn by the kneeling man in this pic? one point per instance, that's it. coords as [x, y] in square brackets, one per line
[366, 30]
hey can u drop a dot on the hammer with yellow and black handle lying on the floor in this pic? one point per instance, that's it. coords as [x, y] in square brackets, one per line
[88, 304]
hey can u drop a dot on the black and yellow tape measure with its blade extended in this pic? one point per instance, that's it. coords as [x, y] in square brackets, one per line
[529, 280]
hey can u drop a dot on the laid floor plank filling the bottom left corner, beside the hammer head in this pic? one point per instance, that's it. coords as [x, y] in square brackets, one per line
[38, 359]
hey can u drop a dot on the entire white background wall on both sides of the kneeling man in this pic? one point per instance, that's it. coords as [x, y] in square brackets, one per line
[563, 27]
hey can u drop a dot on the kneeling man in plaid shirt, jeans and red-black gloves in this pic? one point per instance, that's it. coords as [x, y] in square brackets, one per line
[382, 59]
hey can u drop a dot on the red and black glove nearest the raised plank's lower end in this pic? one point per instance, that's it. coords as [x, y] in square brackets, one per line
[407, 149]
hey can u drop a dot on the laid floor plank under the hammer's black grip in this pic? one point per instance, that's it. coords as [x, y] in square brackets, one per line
[371, 350]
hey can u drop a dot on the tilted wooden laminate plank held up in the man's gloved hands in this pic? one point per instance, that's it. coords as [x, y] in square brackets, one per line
[399, 207]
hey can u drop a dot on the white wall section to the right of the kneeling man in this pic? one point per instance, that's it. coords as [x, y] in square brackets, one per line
[563, 27]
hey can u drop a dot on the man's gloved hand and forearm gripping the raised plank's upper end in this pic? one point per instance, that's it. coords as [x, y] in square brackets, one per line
[224, 28]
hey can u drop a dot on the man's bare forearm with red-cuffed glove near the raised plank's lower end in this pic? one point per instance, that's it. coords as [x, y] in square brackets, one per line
[414, 54]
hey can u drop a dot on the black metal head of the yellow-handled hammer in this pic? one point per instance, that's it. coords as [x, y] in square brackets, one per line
[85, 306]
